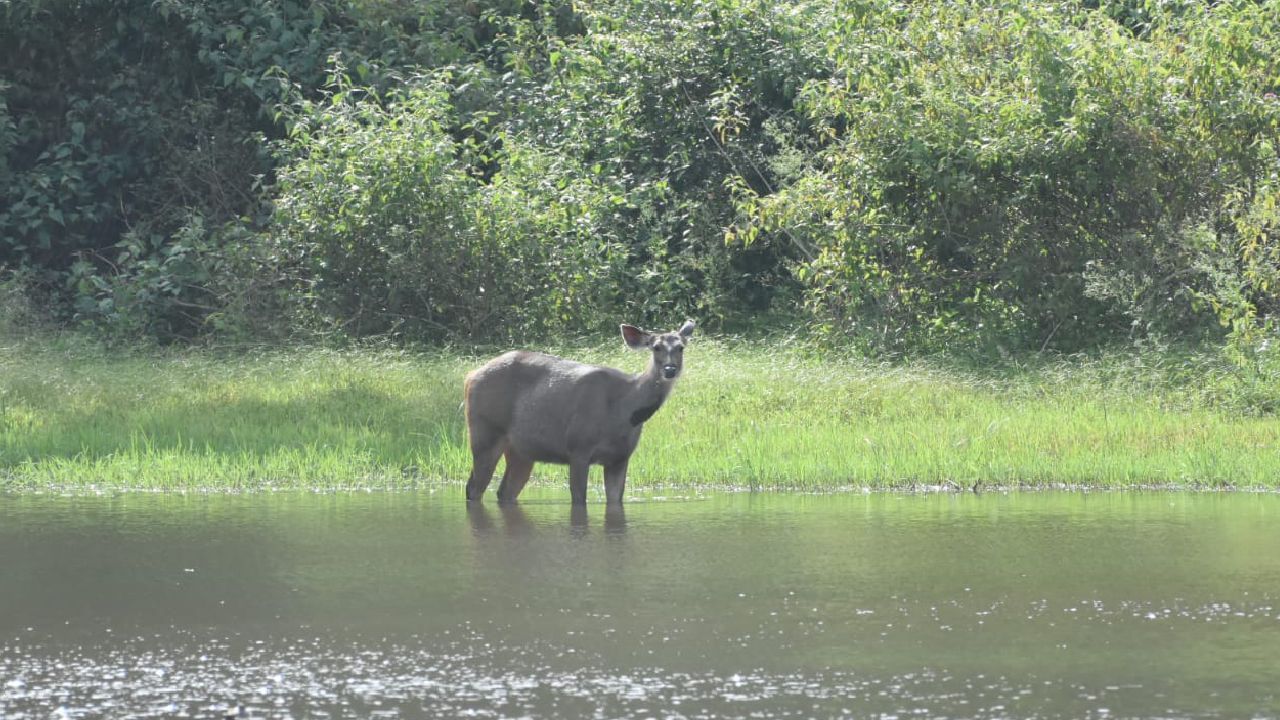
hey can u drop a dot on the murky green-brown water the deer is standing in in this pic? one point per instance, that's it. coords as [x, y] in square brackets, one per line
[409, 605]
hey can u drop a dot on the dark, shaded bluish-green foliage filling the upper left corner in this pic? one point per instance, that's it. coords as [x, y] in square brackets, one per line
[121, 121]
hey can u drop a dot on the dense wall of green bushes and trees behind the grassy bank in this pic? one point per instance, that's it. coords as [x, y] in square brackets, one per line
[897, 176]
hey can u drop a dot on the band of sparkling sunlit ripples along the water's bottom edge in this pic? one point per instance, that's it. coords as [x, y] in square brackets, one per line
[190, 677]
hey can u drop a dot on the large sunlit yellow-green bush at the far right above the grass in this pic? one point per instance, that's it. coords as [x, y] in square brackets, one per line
[1034, 174]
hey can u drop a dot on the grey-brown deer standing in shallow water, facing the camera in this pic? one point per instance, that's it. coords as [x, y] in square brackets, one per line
[534, 408]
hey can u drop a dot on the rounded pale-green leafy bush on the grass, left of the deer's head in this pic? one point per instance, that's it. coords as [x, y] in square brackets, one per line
[394, 229]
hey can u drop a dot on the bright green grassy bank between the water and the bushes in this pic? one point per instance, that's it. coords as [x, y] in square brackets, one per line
[743, 417]
